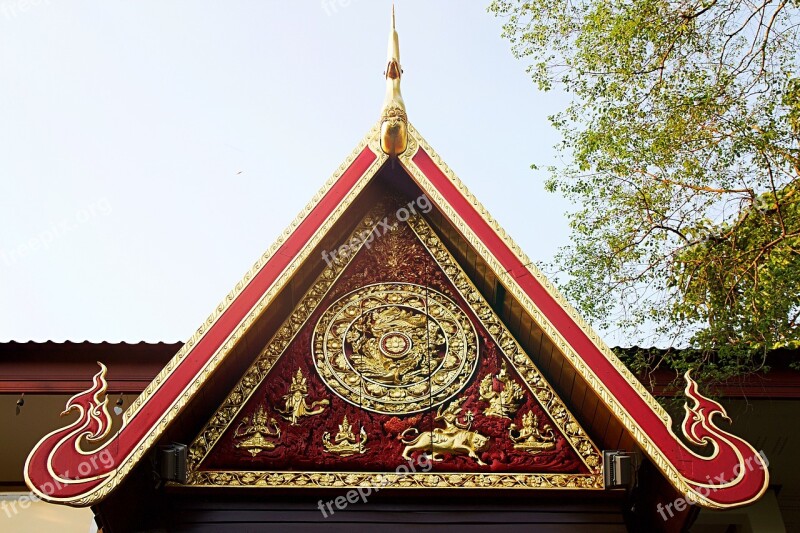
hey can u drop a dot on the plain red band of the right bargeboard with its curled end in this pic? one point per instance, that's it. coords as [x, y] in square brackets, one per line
[692, 468]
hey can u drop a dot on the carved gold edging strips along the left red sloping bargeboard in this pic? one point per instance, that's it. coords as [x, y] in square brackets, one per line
[127, 464]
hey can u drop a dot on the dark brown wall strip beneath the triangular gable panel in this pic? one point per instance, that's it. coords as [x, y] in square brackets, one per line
[298, 511]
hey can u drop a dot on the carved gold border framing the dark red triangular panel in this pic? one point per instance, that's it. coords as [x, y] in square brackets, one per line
[258, 371]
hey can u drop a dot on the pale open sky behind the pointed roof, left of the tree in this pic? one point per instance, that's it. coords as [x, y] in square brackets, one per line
[151, 151]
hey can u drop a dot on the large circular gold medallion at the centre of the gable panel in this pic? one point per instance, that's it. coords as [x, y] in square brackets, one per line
[395, 348]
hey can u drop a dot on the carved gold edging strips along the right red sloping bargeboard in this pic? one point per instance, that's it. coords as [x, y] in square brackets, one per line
[511, 285]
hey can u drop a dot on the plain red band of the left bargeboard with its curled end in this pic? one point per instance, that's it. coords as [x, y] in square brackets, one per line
[58, 449]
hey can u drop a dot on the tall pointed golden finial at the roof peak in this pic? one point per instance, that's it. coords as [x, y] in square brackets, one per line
[394, 121]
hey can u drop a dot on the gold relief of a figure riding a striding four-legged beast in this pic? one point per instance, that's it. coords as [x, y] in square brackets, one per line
[455, 438]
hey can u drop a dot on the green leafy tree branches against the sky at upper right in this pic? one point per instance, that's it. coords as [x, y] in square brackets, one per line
[683, 141]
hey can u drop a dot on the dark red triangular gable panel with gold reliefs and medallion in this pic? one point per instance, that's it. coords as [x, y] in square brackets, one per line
[317, 409]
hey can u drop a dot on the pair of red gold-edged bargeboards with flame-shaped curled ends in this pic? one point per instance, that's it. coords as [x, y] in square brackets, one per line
[733, 474]
